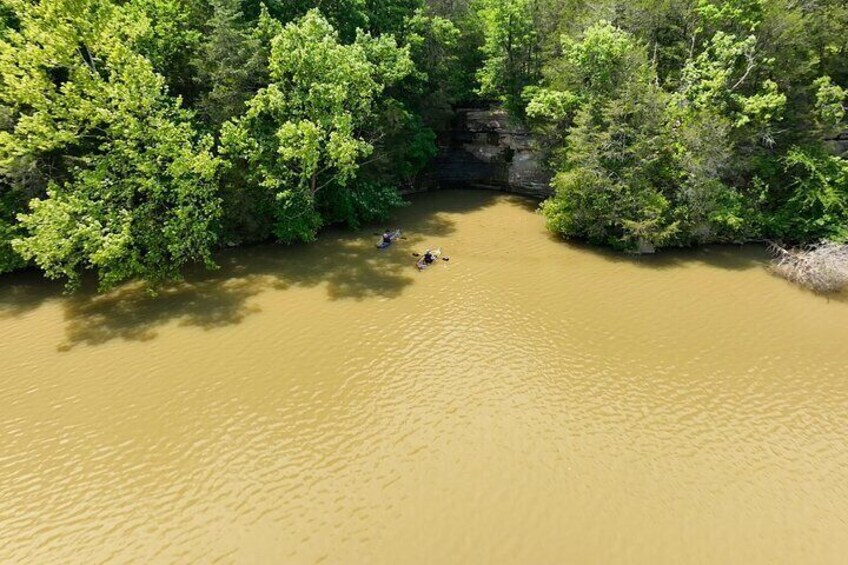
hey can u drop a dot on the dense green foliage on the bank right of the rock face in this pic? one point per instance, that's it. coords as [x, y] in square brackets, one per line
[679, 121]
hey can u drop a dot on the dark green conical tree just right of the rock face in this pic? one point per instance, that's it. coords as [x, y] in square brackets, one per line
[615, 187]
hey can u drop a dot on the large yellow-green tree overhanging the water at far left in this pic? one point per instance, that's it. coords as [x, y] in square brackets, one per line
[122, 185]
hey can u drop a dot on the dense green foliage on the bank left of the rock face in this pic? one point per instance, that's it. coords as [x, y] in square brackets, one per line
[138, 135]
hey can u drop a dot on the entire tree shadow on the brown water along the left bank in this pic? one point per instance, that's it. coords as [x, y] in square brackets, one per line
[346, 263]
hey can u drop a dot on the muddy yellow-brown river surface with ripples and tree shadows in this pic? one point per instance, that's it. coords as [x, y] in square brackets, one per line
[527, 402]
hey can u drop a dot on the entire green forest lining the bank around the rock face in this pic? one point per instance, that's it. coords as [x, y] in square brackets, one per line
[137, 136]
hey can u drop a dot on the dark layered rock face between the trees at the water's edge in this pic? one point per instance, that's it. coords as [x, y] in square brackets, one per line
[485, 148]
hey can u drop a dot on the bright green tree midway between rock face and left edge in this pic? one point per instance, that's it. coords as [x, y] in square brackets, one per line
[303, 134]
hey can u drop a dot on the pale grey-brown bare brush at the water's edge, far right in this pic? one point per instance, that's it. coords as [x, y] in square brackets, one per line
[822, 267]
